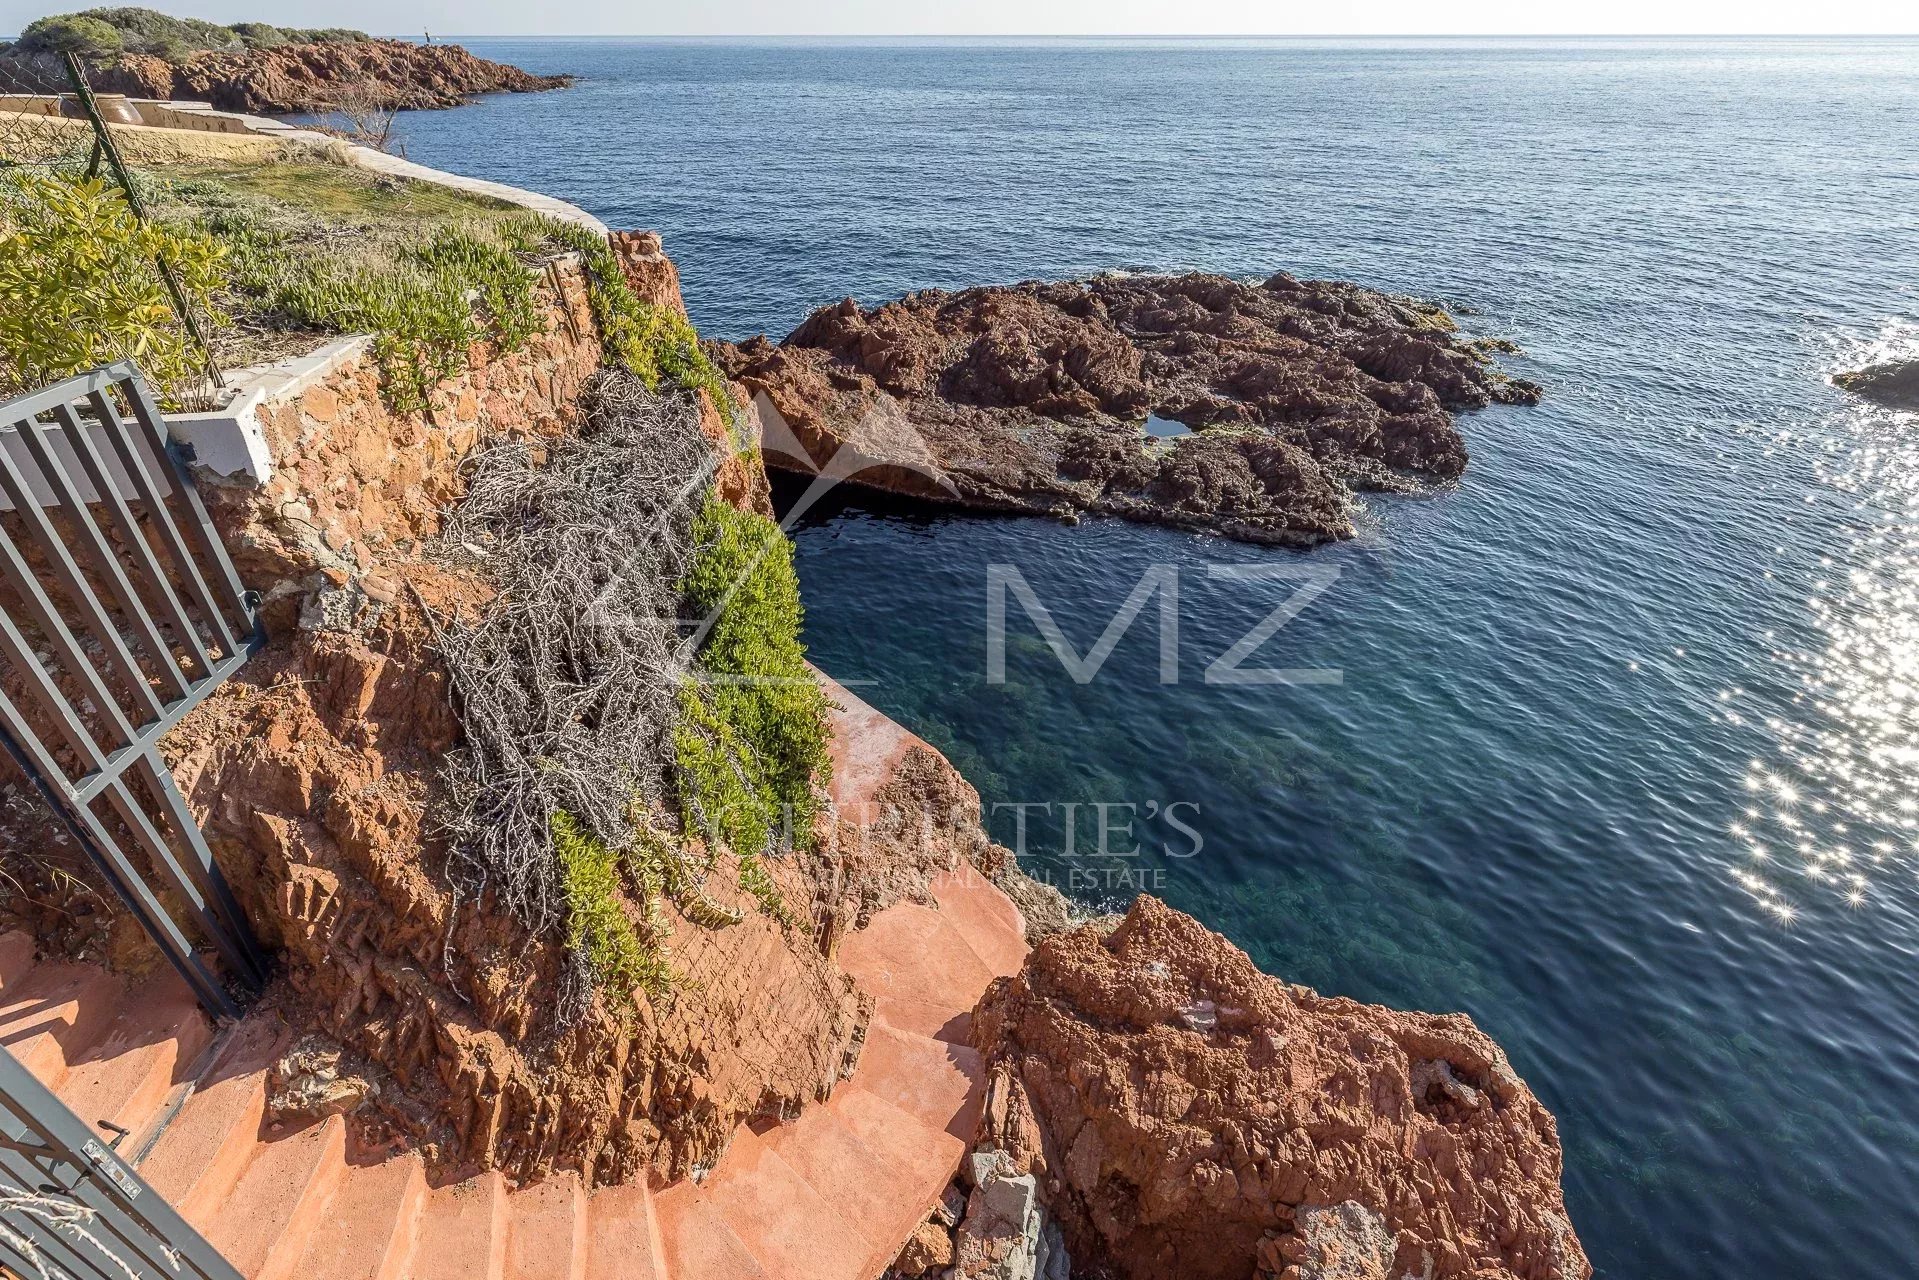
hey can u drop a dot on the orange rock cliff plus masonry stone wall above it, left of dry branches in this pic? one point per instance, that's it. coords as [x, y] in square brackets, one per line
[316, 774]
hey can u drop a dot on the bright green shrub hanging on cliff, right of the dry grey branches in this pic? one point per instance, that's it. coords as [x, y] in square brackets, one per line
[751, 751]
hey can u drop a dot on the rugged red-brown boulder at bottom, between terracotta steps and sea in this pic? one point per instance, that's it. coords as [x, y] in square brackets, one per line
[1189, 1118]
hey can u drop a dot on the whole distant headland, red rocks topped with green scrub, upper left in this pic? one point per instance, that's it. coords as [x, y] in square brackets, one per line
[252, 66]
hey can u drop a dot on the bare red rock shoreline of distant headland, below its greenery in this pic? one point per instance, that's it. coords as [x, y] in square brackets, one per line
[298, 78]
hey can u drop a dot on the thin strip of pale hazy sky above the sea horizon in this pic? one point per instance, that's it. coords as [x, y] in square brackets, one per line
[1039, 16]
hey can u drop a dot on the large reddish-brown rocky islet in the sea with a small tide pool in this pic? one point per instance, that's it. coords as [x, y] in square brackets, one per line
[1252, 412]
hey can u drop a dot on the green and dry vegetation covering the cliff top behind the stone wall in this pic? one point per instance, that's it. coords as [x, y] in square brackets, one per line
[273, 260]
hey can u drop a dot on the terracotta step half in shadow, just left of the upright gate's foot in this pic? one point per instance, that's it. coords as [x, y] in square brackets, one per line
[143, 1055]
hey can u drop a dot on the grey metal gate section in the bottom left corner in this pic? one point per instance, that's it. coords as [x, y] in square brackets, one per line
[70, 1208]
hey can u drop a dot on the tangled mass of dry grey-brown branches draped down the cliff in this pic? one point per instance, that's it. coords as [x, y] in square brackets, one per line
[567, 686]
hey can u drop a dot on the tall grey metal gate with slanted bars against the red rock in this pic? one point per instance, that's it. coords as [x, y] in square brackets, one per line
[120, 611]
